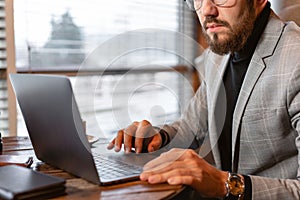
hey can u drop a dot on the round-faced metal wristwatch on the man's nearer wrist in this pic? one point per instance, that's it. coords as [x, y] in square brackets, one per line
[235, 185]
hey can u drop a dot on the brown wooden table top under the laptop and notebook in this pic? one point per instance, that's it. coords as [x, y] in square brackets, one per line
[77, 188]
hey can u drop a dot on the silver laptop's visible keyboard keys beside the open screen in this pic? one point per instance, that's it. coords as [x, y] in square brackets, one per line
[110, 169]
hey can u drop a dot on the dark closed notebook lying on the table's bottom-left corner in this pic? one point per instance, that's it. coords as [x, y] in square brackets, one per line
[23, 183]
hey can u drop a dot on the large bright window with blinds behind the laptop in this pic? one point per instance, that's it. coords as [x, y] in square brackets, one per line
[127, 51]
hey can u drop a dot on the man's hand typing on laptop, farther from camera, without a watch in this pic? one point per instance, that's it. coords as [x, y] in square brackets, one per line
[139, 135]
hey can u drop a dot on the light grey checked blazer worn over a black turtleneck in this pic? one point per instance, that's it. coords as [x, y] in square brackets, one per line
[267, 113]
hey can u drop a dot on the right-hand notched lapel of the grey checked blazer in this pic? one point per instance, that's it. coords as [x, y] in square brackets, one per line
[263, 52]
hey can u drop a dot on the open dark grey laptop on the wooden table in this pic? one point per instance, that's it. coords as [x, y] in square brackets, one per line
[57, 133]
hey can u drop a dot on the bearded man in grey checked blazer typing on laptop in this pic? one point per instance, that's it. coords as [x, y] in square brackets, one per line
[245, 117]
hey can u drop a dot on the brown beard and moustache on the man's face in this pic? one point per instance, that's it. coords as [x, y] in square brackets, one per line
[237, 35]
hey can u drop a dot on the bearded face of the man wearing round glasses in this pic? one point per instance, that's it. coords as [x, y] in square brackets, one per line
[227, 28]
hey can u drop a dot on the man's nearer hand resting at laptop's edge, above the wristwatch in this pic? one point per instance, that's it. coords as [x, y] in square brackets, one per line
[180, 166]
